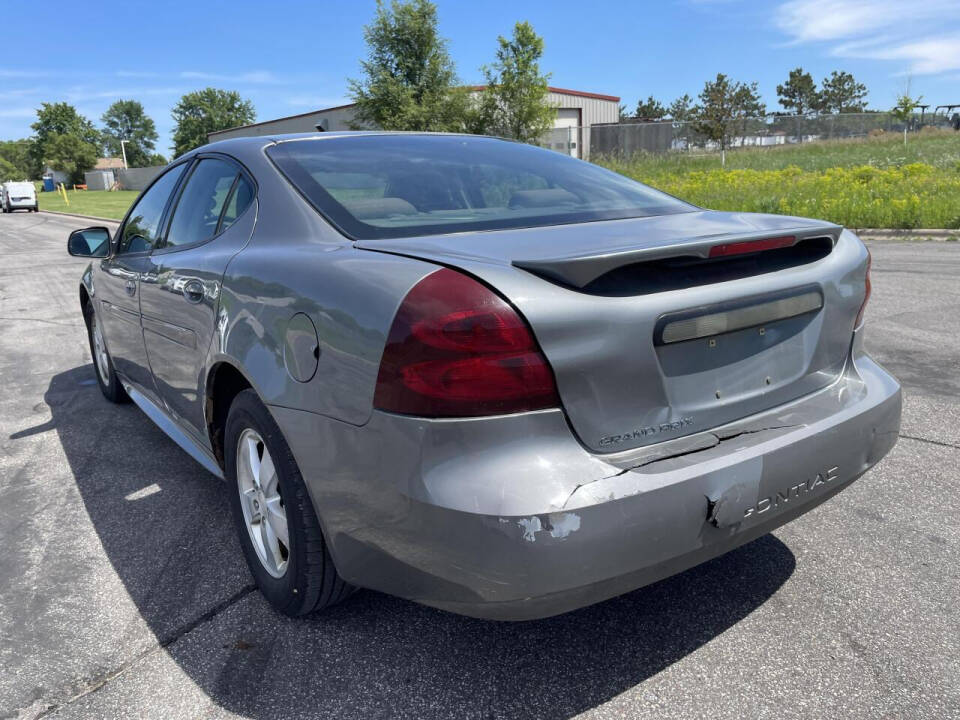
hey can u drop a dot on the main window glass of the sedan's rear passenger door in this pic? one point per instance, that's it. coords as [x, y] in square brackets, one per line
[197, 215]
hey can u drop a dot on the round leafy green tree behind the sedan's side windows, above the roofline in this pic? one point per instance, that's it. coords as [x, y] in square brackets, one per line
[205, 111]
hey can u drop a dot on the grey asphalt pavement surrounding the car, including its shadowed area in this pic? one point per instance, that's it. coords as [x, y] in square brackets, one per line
[123, 591]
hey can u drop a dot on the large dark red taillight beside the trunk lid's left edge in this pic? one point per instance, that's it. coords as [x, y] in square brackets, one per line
[457, 349]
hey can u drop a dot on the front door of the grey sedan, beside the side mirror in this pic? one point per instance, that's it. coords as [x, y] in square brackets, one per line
[116, 278]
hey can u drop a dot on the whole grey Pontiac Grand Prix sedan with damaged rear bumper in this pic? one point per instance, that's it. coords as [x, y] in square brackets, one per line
[481, 375]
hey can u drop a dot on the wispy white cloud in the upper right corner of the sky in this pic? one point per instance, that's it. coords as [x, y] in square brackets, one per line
[923, 35]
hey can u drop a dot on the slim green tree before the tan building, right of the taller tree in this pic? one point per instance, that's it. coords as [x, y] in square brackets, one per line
[515, 100]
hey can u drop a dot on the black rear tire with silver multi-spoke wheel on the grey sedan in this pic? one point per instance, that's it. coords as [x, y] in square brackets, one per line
[275, 518]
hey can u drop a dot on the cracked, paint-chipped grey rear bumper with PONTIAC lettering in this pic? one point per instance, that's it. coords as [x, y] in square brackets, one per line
[510, 518]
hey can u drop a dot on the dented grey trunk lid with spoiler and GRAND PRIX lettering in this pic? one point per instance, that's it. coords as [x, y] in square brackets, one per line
[652, 332]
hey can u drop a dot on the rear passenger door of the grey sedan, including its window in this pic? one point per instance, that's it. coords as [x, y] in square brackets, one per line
[180, 287]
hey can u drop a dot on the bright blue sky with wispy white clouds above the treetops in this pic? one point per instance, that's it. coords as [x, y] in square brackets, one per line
[292, 57]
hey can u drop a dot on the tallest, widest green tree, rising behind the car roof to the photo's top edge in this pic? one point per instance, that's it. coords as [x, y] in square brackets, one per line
[409, 81]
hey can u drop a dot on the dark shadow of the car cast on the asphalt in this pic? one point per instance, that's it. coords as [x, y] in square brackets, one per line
[165, 526]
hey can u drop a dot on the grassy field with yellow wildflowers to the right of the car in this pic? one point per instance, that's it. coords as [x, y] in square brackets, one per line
[866, 183]
